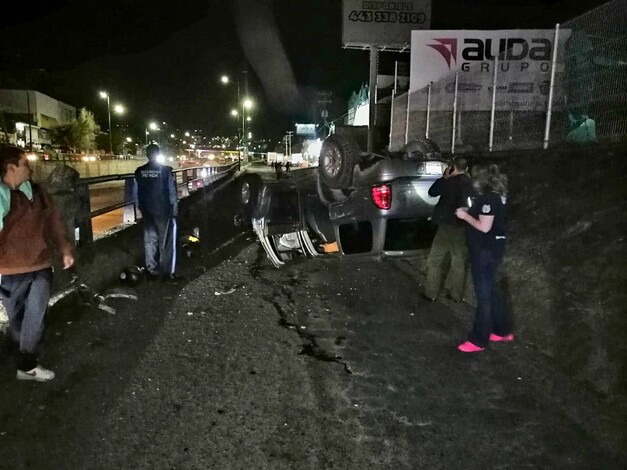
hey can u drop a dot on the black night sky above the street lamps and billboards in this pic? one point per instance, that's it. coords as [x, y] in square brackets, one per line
[163, 59]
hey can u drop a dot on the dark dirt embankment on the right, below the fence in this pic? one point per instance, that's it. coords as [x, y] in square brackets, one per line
[566, 259]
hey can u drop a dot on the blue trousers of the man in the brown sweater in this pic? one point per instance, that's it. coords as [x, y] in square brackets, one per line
[25, 297]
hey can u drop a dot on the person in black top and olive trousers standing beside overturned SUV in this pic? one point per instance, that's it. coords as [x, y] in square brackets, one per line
[449, 254]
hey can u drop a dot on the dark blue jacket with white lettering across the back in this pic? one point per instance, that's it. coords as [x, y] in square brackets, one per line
[156, 190]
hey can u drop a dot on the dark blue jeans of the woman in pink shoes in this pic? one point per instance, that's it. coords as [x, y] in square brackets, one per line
[490, 316]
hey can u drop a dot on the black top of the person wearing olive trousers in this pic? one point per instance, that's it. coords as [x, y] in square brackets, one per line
[454, 192]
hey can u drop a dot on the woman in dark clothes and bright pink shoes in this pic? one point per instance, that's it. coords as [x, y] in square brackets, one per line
[485, 235]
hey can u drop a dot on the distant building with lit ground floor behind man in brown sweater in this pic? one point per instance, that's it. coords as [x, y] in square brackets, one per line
[27, 116]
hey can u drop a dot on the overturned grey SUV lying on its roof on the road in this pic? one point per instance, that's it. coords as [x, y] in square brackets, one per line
[354, 203]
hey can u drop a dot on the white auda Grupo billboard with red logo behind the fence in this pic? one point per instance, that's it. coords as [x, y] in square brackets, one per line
[523, 70]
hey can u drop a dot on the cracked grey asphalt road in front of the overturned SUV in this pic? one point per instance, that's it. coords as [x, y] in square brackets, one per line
[325, 363]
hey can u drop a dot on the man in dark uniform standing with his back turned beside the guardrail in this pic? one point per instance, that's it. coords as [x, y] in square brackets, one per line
[158, 203]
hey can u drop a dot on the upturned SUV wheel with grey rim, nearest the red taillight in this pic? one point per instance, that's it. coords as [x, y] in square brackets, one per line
[338, 156]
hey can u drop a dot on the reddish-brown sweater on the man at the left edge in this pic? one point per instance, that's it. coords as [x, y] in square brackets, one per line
[31, 231]
